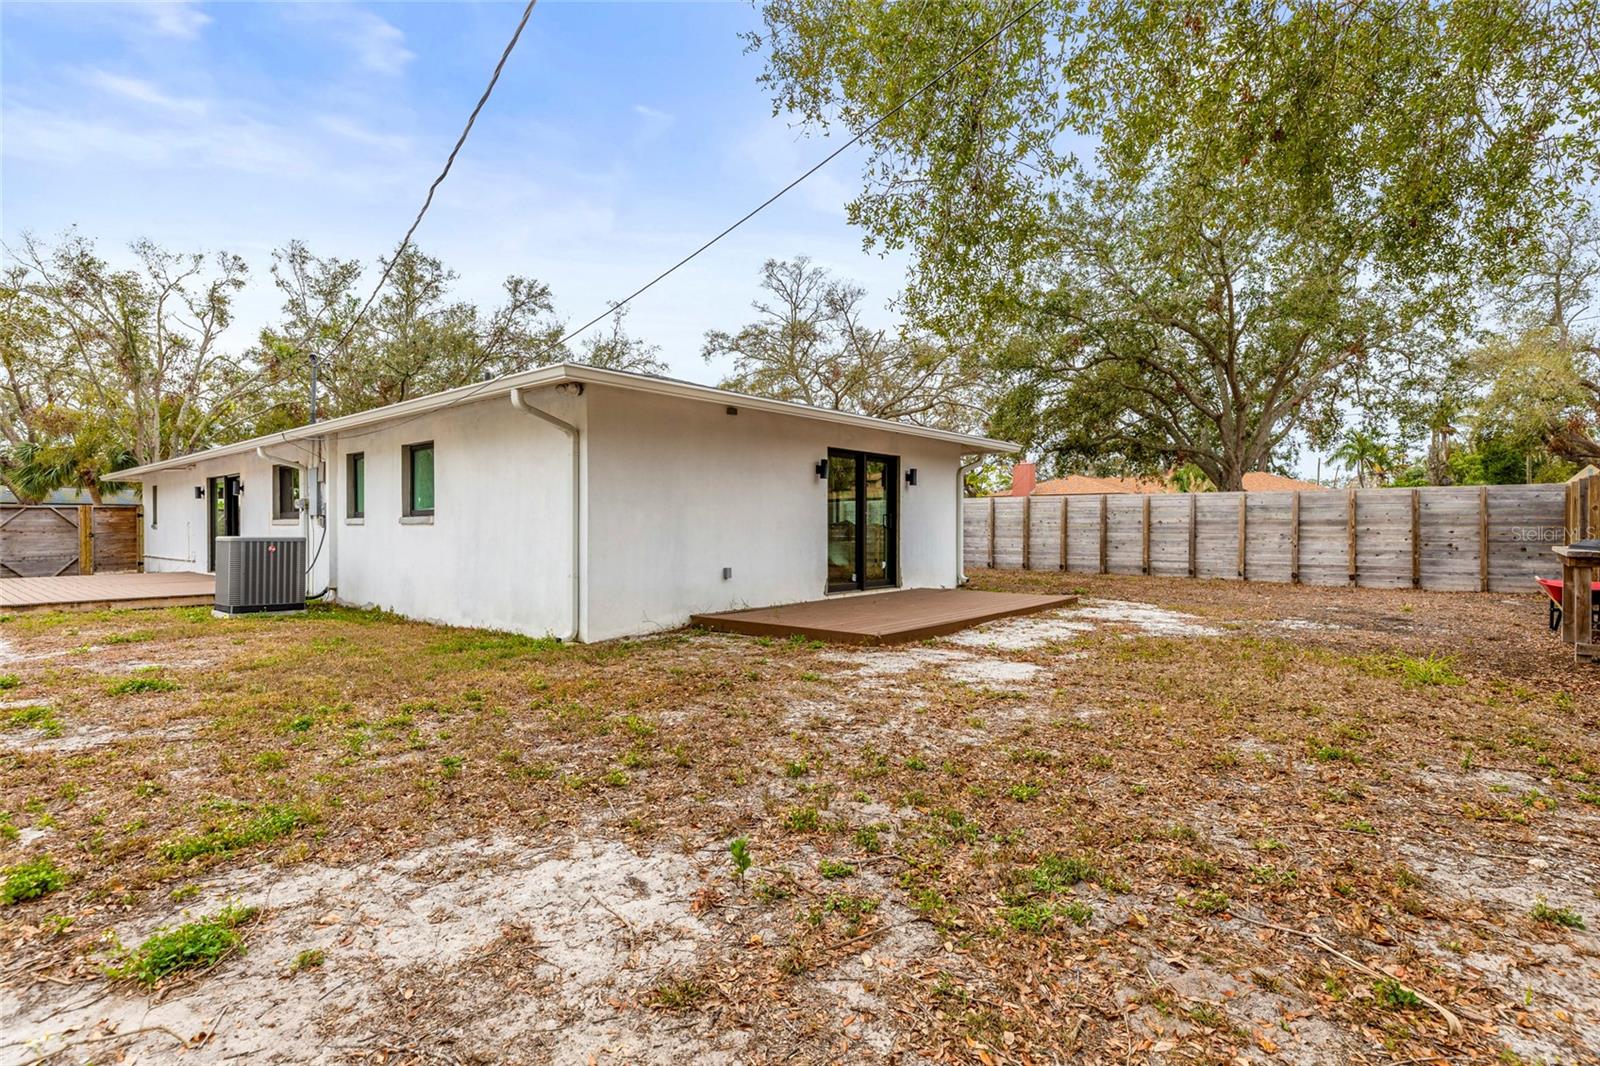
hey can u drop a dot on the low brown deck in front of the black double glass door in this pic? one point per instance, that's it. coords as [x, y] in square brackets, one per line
[882, 617]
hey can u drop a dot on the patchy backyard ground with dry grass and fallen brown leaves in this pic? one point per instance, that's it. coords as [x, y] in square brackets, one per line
[1074, 860]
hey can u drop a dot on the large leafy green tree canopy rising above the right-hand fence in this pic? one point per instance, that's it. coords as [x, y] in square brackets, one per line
[1193, 231]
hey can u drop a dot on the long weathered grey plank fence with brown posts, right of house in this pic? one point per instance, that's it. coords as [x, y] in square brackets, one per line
[1471, 539]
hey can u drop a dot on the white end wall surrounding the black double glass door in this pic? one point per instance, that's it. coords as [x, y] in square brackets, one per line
[681, 489]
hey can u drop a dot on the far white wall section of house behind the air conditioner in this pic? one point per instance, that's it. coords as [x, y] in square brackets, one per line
[177, 526]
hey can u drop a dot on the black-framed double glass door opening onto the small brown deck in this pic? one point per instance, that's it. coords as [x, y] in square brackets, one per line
[862, 511]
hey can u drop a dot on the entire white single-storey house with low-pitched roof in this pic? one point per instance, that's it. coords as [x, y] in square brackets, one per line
[582, 503]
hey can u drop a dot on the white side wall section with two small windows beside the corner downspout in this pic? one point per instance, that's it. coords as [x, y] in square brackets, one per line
[498, 551]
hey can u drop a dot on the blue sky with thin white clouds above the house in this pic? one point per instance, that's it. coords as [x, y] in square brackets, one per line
[620, 137]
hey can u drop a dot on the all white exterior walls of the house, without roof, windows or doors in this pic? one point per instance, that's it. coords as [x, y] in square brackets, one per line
[673, 492]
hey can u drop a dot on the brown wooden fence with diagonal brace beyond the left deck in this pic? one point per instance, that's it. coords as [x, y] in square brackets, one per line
[47, 542]
